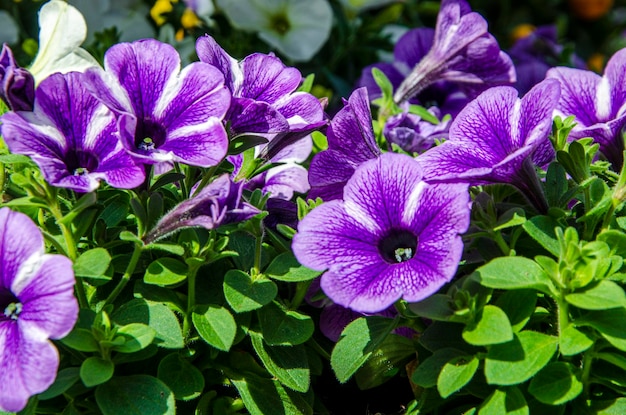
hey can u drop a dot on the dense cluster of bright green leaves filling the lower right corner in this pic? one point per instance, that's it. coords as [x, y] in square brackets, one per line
[539, 328]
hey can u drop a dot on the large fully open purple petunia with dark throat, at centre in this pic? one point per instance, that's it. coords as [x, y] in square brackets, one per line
[392, 236]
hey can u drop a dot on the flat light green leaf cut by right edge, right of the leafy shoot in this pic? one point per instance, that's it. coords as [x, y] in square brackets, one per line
[601, 296]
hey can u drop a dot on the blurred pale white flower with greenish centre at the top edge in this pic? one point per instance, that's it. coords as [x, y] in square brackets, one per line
[296, 28]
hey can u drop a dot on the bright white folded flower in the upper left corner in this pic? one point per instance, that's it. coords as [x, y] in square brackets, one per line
[62, 31]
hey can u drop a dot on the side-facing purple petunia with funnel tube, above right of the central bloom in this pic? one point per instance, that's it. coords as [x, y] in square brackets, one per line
[498, 138]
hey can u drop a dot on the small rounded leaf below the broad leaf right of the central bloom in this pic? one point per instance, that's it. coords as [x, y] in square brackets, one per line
[492, 327]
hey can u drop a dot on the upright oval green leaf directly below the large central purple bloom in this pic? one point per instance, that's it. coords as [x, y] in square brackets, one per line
[358, 341]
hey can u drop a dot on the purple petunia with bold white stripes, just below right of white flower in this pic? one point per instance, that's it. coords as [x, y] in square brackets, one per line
[167, 114]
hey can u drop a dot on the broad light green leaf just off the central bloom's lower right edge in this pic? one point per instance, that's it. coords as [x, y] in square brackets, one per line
[510, 273]
